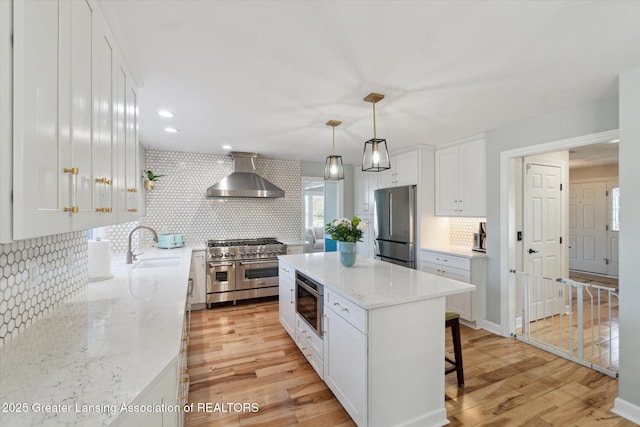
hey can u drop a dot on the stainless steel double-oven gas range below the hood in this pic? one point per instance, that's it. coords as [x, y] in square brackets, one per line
[242, 269]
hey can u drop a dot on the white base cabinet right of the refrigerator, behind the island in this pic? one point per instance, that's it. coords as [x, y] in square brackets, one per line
[472, 270]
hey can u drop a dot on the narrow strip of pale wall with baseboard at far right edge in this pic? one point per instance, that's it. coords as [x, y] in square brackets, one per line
[628, 402]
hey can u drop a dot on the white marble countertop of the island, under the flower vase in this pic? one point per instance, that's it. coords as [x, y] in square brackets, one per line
[371, 283]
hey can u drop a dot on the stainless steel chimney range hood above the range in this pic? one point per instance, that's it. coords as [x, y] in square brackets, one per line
[244, 181]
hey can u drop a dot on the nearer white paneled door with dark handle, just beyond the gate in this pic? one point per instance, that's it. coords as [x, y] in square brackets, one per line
[542, 233]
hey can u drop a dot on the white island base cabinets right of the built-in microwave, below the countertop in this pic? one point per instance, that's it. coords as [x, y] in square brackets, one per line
[379, 363]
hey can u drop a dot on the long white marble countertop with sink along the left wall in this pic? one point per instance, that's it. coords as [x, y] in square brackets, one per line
[102, 348]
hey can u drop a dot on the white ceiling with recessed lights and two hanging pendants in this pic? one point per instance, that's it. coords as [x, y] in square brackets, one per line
[266, 76]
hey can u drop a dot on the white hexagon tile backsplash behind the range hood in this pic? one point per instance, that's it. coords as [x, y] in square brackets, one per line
[178, 203]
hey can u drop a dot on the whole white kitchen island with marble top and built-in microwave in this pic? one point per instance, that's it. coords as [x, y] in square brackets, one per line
[381, 350]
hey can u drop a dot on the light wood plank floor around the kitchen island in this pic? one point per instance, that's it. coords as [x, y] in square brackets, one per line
[242, 355]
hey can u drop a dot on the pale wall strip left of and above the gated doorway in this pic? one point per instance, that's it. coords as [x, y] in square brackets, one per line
[584, 119]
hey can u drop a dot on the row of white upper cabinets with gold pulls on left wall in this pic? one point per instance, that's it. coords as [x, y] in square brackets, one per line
[63, 118]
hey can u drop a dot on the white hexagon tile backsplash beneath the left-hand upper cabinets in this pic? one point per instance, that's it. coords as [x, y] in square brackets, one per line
[36, 275]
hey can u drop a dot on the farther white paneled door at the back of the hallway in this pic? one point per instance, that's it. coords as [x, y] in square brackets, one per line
[588, 227]
